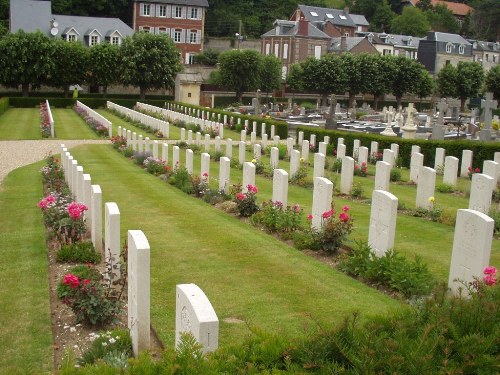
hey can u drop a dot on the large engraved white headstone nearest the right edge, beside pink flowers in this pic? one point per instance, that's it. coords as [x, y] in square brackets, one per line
[471, 247]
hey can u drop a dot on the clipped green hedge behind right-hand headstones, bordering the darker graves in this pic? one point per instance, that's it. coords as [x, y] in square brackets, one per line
[481, 150]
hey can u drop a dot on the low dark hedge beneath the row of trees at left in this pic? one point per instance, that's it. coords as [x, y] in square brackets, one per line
[30, 102]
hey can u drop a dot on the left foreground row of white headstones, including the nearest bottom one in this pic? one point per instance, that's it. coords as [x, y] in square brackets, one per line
[194, 312]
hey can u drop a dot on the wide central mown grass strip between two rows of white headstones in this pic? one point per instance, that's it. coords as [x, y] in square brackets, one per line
[245, 273]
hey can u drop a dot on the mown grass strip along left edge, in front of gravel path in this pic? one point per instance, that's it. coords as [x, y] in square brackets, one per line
[26, 337]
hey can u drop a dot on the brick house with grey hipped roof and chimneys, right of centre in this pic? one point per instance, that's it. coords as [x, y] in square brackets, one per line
[294, 41]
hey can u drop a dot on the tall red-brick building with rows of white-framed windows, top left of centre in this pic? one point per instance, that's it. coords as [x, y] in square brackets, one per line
[182, 20]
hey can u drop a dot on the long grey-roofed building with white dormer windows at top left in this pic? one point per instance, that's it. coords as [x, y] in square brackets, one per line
[31, 16]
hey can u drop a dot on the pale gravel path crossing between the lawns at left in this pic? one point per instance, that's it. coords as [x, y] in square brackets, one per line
[15, 154]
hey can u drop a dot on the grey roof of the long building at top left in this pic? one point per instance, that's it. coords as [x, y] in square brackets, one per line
[30, 16]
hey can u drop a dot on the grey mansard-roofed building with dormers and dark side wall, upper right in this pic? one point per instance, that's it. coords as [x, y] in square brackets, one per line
[440, 49]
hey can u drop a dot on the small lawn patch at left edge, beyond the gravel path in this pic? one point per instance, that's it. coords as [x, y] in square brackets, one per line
[20, 123]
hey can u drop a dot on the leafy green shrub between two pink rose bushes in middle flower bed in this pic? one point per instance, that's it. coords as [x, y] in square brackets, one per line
[274, 217]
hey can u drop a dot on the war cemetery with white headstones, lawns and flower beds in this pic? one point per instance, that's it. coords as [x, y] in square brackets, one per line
[231, 246]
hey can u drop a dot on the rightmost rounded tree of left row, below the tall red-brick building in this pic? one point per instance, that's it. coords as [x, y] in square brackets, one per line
[150, 62]
